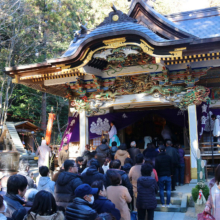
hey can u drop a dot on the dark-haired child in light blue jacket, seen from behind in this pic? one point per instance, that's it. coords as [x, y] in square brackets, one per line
[44, 182]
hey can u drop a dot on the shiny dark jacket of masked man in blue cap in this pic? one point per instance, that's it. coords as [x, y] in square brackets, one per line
[80, 210]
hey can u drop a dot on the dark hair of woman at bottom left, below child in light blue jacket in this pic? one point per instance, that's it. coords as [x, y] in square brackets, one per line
[44, 204]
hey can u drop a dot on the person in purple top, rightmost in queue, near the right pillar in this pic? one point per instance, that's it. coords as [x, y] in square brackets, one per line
[180, 170]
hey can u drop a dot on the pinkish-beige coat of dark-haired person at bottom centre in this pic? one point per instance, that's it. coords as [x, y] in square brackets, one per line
[120, 196]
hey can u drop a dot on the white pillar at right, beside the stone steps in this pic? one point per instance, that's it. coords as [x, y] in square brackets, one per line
[194, 144]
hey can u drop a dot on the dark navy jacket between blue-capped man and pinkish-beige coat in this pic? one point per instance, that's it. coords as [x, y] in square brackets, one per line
[102, 205]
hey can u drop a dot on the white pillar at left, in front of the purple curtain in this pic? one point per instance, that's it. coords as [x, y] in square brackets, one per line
[84, 131]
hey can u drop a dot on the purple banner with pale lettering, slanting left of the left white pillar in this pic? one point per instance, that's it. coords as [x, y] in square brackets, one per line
[73, 122]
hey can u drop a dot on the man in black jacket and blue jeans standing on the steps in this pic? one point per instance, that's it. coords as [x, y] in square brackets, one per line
[164, 168]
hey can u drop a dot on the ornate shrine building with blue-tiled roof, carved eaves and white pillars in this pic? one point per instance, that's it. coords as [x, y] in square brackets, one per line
[149, 69]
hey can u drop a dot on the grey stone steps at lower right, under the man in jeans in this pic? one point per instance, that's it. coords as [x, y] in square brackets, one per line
[178, 201]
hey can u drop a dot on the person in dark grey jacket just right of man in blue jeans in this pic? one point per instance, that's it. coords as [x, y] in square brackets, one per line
[173, 153]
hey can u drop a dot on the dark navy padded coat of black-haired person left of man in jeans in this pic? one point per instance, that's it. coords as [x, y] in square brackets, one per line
[147, 189]
